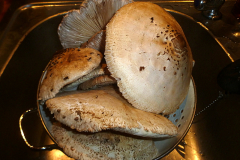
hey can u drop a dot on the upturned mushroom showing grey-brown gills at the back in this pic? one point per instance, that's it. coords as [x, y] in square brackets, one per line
[80, 25]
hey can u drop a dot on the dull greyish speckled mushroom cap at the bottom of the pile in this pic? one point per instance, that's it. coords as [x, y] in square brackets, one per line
[103, 145]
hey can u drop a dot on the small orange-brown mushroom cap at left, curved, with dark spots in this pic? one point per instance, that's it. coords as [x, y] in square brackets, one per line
[67, 66]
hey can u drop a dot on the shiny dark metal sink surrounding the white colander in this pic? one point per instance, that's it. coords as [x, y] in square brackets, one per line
[214, 133]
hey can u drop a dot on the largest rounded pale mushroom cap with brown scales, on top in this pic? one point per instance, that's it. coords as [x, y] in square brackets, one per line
[148, 53]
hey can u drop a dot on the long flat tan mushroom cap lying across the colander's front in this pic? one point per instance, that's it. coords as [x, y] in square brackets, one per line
[105, 109]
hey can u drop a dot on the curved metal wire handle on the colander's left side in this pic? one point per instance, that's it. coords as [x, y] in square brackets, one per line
[47, 147]
